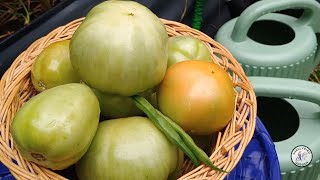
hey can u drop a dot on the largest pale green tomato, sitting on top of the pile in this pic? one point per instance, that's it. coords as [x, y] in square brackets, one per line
[120, 48]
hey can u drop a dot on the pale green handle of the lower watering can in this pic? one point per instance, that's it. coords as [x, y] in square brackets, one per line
[286, 88]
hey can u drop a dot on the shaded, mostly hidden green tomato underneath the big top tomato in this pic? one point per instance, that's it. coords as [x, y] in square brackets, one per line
[117, 106]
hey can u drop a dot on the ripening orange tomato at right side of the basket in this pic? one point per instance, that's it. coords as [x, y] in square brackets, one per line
[197, 95]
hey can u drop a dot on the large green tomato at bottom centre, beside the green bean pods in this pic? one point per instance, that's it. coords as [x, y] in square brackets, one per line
[130, 148]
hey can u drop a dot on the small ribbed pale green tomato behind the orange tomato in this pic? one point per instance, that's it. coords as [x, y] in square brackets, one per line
[186, 47]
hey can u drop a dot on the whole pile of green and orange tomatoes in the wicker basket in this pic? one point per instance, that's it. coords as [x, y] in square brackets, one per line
[84, 113]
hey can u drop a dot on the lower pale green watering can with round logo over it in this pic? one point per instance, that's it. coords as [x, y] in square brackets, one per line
[293, 121]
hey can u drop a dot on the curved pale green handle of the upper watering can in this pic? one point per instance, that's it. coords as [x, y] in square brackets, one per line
[310, 16]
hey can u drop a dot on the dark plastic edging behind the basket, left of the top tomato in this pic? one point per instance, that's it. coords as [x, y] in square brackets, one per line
[61, 14]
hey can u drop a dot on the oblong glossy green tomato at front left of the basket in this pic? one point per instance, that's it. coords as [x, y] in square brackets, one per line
[55, 128]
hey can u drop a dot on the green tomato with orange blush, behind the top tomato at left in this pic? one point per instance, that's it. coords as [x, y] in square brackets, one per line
[53, 67]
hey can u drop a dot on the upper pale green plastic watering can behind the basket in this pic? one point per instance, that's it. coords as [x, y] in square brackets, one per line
[273, 44]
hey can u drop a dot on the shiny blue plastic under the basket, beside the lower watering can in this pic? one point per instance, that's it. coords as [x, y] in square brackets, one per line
[259, 160]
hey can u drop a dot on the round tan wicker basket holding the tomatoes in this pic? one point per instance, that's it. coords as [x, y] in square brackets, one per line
[16, 88]
